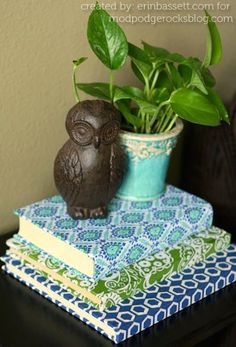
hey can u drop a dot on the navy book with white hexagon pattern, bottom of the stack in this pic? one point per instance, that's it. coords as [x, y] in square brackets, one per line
[145, 308]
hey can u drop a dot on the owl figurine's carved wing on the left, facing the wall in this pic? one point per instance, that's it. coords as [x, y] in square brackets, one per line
[68, 174]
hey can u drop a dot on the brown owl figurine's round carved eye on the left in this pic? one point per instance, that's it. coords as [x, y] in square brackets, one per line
[82, 133]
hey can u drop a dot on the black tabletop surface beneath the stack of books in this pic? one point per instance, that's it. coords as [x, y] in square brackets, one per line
[27, 319]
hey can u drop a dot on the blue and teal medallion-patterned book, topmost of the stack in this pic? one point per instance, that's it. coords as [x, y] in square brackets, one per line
[131, 232]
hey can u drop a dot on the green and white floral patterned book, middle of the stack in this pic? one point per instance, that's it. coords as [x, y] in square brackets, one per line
[130, 280]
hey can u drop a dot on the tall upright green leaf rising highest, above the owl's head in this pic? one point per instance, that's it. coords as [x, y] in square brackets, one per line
[107, 39]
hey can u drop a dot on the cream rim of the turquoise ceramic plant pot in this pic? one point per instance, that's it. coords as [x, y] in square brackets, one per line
[154, 137]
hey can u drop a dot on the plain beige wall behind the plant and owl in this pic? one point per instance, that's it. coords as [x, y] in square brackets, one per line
[38, 40]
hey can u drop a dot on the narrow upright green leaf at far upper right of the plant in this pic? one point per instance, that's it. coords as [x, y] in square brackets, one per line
[214, 47]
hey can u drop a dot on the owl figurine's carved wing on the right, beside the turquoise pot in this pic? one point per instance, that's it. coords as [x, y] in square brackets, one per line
[117, 160]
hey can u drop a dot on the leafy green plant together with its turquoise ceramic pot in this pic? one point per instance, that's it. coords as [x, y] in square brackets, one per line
[173, 87]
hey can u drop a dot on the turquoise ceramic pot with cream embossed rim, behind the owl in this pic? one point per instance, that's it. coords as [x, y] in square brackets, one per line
[147, 162]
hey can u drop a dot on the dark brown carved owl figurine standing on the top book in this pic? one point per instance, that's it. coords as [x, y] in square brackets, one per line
[89, 168]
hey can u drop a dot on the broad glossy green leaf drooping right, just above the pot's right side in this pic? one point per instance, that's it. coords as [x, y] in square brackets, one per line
[194, 107]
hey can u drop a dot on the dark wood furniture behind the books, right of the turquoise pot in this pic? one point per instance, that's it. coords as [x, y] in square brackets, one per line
[209, 168]
